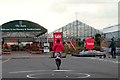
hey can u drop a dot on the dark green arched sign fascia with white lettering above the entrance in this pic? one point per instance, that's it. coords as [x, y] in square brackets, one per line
[22, 26]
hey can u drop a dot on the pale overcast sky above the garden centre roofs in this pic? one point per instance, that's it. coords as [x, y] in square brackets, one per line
[53, 14]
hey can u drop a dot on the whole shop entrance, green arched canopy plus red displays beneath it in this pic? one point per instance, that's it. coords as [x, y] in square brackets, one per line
[23, 35]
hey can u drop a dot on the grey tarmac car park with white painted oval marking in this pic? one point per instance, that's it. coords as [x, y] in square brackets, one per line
[34, 66]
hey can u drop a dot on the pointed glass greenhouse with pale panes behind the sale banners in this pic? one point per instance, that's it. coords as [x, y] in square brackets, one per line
[76, 30]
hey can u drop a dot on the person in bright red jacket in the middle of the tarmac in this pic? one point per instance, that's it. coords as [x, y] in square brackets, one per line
[58, 48]
